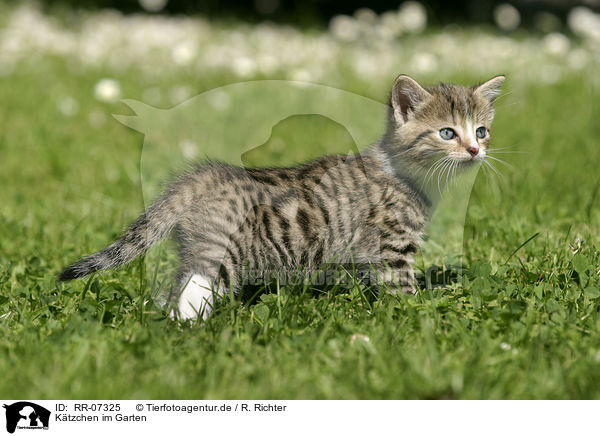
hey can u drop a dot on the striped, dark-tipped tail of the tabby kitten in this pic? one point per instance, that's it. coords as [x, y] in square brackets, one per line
[152, 226]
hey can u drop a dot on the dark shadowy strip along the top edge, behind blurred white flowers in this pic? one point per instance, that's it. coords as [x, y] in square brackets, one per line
[542, 13]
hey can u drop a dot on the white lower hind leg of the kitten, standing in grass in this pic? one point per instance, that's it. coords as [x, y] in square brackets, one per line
[196, 298]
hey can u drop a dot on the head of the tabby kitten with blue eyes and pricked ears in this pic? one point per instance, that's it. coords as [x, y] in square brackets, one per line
[441, 122]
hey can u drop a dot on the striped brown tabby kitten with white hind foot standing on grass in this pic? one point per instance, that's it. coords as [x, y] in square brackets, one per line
[367, 209]
